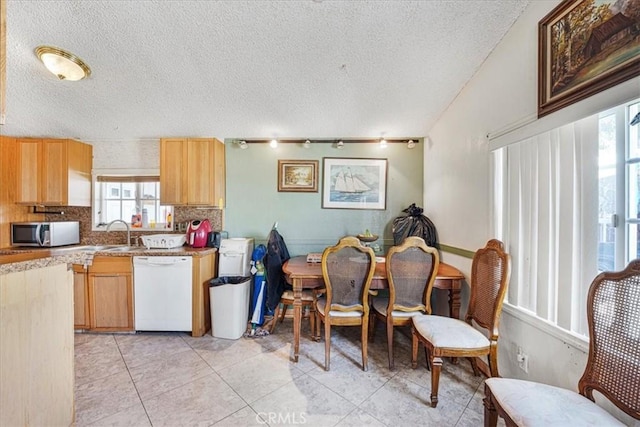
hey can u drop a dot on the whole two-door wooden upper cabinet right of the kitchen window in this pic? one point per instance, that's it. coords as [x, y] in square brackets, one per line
[192, 172]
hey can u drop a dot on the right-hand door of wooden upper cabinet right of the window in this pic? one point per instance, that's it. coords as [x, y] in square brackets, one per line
[199, 172]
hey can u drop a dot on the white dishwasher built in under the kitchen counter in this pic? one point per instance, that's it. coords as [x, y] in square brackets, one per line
[162, 293]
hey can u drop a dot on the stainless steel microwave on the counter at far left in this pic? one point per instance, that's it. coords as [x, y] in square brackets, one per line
[45, 234]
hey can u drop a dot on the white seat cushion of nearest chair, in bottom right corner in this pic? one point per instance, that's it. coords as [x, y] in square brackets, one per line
[534, 404]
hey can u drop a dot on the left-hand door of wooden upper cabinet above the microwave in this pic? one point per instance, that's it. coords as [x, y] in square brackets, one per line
[29, 171]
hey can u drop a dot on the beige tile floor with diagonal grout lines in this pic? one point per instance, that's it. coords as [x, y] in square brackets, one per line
[173, 379]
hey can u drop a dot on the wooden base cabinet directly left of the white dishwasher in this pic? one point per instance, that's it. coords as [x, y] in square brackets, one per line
[111, 294]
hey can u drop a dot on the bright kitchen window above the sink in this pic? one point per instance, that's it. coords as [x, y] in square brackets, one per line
[132, 198]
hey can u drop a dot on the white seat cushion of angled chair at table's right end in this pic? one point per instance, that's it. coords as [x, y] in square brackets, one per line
[445, 332]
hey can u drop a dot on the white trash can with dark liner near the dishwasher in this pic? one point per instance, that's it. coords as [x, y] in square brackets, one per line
[229, 302]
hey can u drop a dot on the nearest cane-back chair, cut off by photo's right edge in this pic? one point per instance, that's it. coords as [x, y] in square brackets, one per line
[613, 365]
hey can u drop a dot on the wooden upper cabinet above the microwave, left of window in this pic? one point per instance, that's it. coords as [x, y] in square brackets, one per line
[54, 172]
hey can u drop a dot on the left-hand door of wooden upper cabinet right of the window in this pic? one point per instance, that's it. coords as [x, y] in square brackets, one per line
[172, 171]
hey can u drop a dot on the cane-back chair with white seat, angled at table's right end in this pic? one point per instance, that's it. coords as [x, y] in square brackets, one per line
[447, 337]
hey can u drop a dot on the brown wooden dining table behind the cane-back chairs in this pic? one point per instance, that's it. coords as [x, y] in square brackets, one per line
[301, 274]
